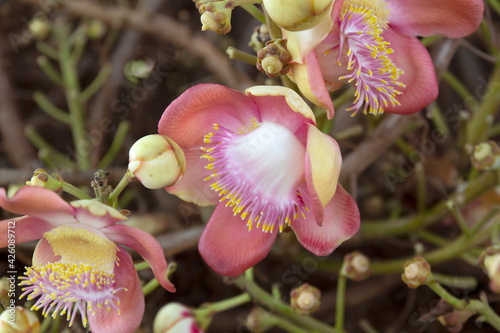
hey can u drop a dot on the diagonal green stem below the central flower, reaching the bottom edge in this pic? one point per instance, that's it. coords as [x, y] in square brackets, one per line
[277, 306]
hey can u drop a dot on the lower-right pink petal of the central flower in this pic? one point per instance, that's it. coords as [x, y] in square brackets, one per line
[341, 223]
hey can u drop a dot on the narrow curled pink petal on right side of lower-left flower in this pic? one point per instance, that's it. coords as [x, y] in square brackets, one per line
[146, 245]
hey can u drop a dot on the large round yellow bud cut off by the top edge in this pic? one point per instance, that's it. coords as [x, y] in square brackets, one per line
[298, 15]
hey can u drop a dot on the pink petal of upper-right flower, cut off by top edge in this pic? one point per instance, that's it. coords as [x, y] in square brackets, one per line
[451, 18]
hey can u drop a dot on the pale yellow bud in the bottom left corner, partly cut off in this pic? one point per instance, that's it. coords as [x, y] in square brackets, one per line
[19, 320]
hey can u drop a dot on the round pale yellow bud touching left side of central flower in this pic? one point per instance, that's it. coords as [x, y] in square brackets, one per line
[157, 161]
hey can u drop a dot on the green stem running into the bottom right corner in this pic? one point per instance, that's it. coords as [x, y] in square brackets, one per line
[480, 307]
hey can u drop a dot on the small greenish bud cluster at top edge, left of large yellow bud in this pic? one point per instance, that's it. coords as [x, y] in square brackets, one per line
[215, 15]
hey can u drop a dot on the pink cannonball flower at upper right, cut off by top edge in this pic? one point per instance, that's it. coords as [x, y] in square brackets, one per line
[372, 45]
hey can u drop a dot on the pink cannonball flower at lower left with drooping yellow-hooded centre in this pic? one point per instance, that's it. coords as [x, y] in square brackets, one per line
[77, 265]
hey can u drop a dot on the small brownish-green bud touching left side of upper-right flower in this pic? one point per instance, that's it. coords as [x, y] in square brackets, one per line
[273, 58]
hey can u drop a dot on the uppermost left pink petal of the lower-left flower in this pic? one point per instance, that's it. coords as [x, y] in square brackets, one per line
[38, 202]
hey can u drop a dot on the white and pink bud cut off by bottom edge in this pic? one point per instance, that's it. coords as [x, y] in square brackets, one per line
[175, 318]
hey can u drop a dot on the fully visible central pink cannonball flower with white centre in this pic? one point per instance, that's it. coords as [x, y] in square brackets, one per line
[261, 160]
